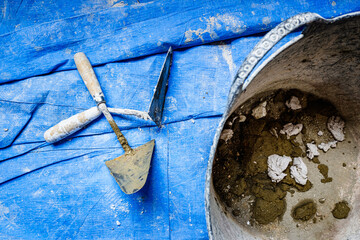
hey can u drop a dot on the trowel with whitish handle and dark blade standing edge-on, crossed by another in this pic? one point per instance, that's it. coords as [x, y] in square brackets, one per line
[73, 124]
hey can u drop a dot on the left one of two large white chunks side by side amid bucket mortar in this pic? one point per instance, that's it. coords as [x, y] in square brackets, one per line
[276, 165]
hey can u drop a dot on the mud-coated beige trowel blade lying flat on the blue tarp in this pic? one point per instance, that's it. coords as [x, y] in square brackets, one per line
[131, 170]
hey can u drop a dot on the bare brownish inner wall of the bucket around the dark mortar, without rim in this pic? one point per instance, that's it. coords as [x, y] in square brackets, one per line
[325, 63]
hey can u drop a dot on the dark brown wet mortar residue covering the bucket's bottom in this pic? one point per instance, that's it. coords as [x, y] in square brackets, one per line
[240, 170]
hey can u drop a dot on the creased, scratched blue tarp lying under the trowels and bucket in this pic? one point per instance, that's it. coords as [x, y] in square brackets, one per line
[64, 190]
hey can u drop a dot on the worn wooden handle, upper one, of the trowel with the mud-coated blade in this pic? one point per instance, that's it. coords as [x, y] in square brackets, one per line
[88, 76]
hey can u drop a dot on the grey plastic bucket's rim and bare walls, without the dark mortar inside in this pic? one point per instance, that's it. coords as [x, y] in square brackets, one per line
[324, 60]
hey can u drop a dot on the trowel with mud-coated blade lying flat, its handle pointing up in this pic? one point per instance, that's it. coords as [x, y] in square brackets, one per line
[131, 169]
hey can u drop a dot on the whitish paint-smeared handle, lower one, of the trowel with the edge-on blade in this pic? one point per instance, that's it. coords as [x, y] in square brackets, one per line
[71, 125]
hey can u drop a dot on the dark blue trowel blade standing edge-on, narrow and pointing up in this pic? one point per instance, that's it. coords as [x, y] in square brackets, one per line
[157, 102]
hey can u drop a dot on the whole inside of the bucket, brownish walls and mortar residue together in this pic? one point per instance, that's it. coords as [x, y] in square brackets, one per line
[257, 187]
